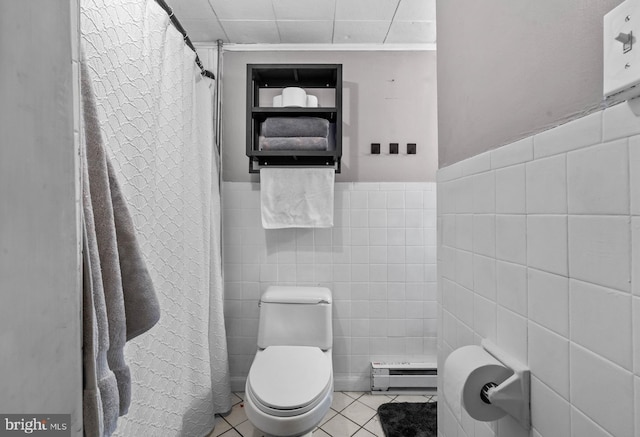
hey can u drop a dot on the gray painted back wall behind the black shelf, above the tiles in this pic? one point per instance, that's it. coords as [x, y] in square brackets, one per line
[388, 96]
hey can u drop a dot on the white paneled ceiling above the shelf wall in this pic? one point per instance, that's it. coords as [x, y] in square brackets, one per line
[308, 21]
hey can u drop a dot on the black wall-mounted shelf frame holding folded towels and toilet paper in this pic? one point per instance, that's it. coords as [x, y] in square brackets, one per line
[309, 77]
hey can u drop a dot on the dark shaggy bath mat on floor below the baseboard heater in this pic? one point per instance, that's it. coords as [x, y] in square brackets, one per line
[409, 419]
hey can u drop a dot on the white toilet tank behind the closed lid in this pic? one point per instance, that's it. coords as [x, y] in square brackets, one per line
[295, 316]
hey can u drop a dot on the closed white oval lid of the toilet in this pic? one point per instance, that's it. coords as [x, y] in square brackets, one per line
[289, 377]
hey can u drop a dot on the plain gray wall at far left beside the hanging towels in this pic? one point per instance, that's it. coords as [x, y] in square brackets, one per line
[40, 337]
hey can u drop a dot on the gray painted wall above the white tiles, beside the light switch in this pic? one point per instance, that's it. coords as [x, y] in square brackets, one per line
[511, 68]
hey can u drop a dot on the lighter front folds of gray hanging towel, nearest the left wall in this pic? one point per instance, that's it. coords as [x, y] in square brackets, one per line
[104, 335]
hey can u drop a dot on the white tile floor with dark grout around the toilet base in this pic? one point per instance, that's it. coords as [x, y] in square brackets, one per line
[351, 414]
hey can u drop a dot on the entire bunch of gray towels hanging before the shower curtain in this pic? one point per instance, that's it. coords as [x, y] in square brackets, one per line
[119, 299]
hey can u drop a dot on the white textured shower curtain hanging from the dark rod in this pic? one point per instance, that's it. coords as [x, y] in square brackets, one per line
[156, 115]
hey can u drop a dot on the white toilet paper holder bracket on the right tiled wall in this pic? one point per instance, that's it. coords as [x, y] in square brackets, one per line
[513, 395]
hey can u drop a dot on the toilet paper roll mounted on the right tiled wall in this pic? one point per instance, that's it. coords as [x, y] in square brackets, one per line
[466, 371]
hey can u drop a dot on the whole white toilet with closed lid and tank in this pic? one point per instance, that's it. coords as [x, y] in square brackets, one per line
[289, 388]
